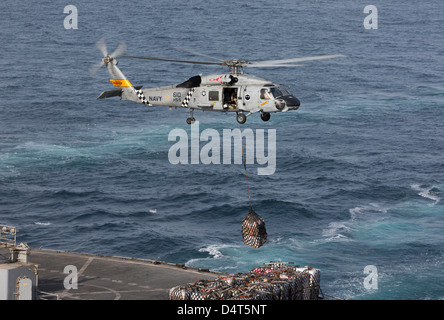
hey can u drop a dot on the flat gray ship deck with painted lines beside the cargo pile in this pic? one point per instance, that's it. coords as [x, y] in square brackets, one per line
[109, 277]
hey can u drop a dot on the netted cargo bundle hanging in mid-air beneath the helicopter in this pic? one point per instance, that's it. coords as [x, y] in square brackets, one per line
[253, 230]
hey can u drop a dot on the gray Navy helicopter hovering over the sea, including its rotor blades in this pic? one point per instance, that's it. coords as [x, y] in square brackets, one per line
[235, 91]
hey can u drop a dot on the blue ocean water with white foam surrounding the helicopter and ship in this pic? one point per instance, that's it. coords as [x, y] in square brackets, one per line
[359, 174]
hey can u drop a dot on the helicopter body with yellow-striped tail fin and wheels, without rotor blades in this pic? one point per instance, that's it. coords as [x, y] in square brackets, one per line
[224, 92]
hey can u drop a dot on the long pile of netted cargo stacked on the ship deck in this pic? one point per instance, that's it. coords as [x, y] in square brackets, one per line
[274, 281]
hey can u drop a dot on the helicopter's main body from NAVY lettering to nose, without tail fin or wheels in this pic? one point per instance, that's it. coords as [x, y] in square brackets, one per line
[225, 93]
